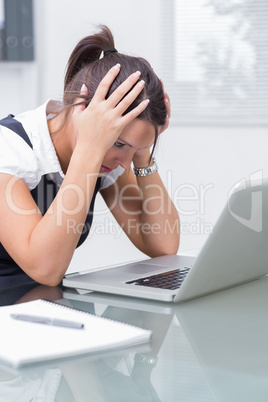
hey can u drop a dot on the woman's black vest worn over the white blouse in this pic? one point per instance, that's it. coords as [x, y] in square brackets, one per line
[10, 273]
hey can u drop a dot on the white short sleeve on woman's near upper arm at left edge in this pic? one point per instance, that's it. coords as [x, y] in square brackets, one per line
[17, 158]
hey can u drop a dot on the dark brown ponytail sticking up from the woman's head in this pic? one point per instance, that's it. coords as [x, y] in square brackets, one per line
[87, 51]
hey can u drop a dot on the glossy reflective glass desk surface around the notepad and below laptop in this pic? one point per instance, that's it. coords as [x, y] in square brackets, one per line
[210, 349]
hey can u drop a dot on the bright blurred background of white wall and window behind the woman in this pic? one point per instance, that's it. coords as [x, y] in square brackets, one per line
[212, 56]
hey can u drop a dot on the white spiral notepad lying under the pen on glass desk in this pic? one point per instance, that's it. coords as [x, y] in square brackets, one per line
[24, 342]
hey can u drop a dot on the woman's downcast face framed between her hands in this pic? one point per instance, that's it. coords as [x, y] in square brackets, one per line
[136, 138]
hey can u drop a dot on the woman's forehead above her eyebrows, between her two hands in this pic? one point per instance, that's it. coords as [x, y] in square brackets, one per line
[138, 134]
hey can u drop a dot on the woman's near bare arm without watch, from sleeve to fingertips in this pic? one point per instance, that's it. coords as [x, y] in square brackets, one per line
[43, 246]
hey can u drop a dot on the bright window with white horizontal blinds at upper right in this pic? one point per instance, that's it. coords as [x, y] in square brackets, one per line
[216, 61]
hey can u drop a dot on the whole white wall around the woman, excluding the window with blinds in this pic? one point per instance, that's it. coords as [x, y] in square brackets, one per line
[198, 165]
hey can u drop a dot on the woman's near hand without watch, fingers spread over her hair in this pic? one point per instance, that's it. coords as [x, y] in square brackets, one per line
[99, 124]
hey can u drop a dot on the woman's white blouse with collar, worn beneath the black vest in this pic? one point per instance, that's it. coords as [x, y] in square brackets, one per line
[19, 159]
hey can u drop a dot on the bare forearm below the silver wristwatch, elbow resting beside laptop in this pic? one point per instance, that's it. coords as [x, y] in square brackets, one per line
[144, 210]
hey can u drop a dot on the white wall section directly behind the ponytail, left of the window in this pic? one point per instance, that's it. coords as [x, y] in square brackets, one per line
[62, 23]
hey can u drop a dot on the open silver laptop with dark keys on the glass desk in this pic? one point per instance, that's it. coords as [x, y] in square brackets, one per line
[235, 253]
